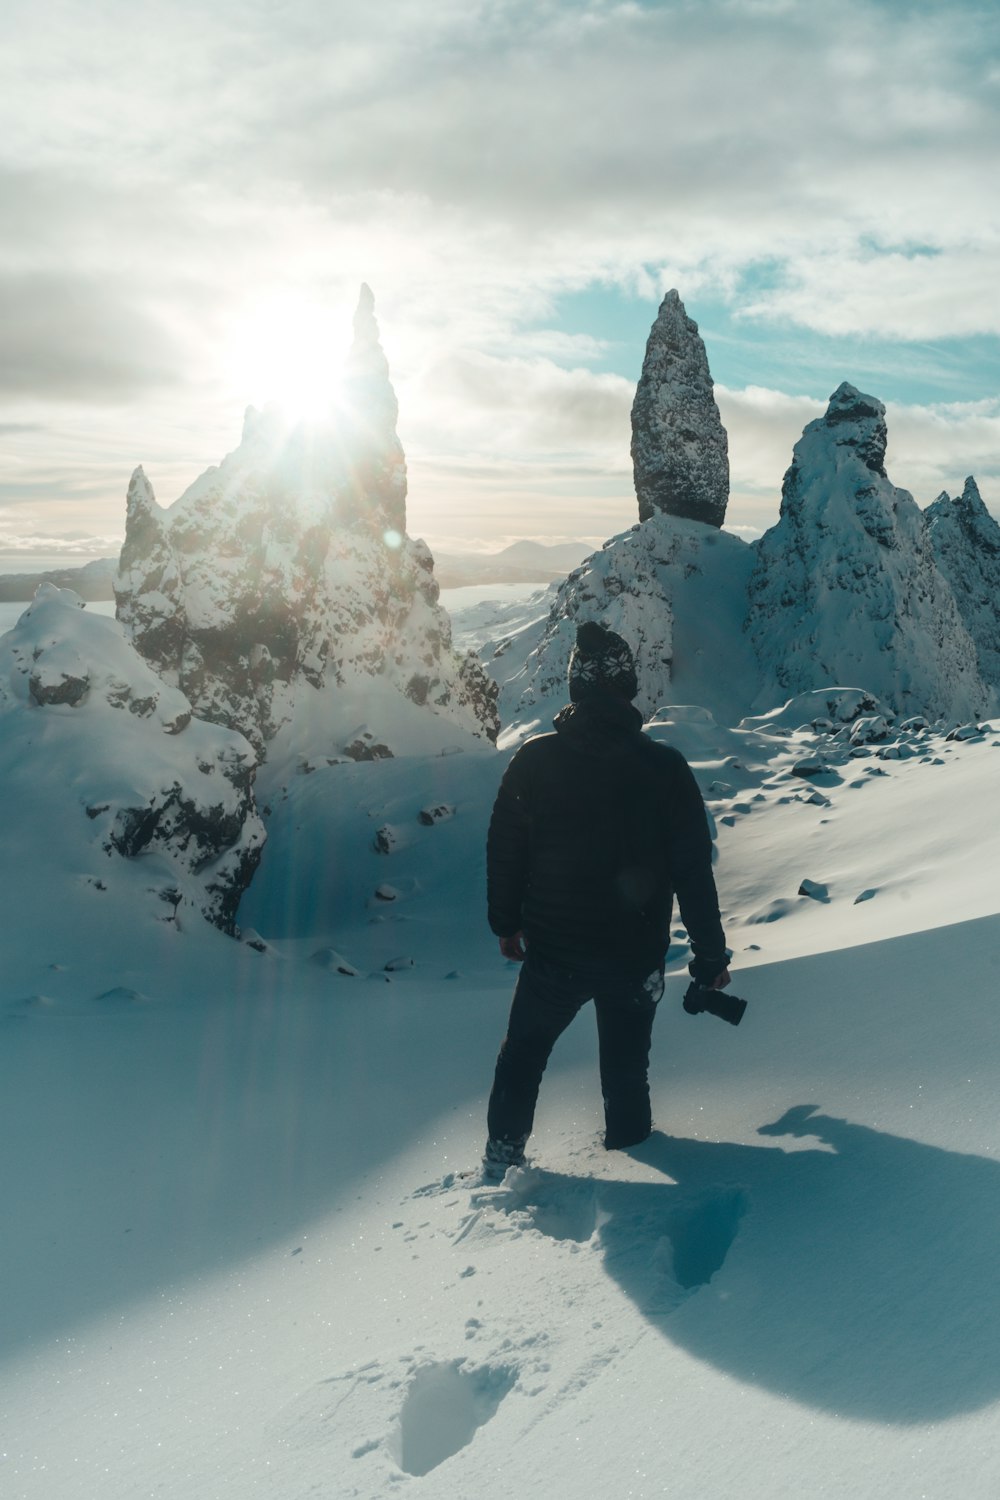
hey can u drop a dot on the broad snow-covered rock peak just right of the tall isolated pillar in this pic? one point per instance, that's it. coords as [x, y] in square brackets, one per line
[846, 589]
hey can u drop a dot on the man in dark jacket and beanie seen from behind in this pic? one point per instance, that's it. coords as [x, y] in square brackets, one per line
[593, 832]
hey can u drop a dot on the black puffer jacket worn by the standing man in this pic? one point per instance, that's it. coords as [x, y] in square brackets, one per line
[593, 832]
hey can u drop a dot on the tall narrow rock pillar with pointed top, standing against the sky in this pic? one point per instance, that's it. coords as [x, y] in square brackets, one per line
[680, 446]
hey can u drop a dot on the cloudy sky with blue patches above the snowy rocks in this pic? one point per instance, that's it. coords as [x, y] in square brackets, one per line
[193, 194]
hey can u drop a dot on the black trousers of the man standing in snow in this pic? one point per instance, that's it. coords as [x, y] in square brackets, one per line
[546, 1000]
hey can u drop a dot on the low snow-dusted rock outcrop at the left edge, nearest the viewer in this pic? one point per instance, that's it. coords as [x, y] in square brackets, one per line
[137, 775]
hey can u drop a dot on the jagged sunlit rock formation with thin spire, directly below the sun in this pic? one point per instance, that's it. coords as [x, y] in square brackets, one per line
[283, 592]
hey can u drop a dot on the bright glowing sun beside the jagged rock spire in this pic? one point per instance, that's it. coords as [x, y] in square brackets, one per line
[290, 350]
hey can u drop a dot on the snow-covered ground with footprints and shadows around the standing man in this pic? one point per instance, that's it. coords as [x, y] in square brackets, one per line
[241, 1261]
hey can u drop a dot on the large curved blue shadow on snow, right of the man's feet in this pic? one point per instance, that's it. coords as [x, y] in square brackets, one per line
[858, 1280]
